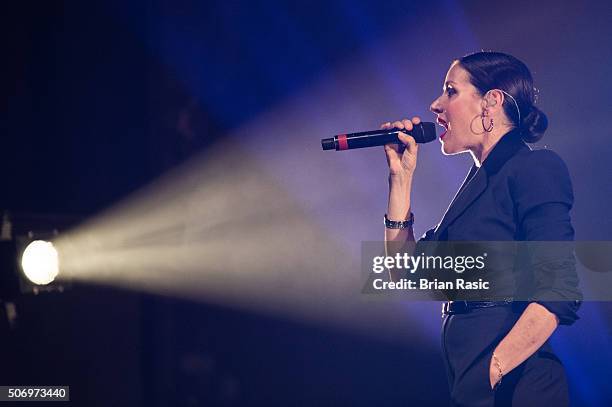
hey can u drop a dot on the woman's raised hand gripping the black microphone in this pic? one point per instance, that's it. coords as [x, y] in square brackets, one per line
[402, 158]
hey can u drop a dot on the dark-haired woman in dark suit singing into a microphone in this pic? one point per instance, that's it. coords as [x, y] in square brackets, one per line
[495, 353]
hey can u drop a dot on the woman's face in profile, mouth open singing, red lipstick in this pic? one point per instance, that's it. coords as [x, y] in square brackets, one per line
[458, 110]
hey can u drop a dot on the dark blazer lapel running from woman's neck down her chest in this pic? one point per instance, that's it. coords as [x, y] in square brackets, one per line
[476, 180]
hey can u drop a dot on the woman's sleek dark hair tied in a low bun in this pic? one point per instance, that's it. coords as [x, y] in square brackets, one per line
[496, 70]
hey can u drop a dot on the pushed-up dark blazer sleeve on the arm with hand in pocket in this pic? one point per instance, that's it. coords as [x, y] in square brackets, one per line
[543, 196]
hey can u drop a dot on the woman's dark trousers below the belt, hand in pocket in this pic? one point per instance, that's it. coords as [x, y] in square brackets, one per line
[468, 342]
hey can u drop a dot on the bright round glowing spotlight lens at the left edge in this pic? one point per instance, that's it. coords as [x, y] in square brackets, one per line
[40, 262]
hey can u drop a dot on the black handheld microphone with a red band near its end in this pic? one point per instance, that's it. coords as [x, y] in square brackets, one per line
[423, 132]
